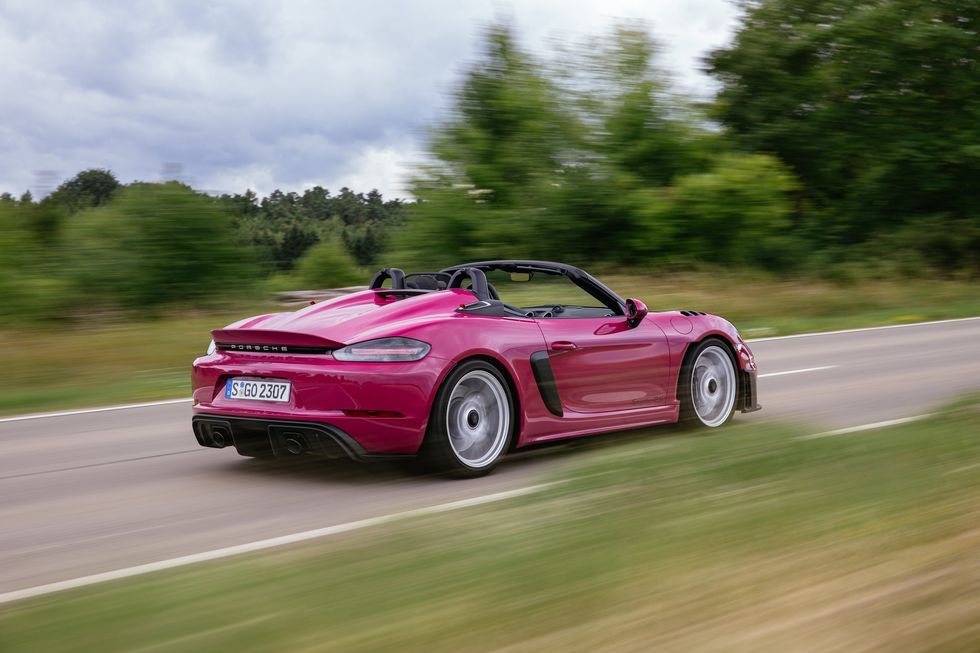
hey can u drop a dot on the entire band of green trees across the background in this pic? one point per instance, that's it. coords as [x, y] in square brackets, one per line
[843, 140]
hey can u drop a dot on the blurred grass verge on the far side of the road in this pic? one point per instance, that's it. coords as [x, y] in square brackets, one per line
[51, 368]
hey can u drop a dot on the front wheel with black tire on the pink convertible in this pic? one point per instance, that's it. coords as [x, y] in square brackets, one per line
[724, 390]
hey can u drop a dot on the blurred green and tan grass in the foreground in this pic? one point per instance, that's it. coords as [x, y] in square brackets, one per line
[746, 540]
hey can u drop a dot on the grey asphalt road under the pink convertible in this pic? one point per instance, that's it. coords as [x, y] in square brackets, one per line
[87, 493]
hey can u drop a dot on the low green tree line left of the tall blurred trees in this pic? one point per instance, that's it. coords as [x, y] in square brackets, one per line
[96, 246]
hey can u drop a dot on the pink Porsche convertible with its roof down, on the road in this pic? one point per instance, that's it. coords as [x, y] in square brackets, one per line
[460, 366]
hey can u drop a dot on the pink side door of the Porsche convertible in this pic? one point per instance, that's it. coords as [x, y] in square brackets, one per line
[602, 365]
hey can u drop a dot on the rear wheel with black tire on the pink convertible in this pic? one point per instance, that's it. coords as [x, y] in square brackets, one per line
[457, 400]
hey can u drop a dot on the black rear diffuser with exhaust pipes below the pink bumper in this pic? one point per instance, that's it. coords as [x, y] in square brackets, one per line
[280, 438]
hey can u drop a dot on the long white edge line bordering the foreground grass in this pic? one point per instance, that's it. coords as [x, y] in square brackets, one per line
[260, 545]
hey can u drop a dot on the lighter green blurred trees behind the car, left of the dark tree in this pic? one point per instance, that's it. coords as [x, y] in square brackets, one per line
[590, 161]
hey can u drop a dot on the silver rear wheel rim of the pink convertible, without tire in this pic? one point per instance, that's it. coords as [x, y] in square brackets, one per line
[478, 419]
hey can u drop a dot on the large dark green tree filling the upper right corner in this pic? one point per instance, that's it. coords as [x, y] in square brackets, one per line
[875, 105]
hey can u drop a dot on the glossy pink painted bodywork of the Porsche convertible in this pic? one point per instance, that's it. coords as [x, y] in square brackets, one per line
[614, 377]
